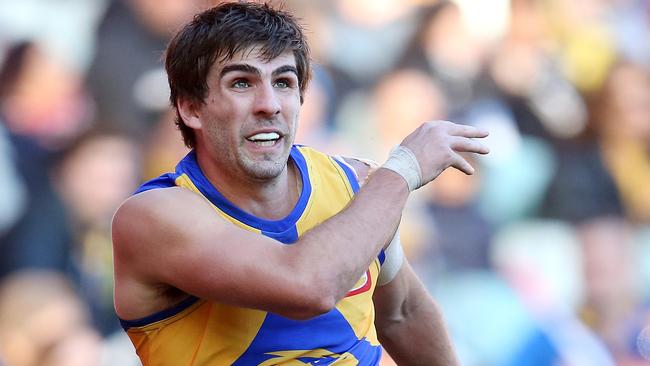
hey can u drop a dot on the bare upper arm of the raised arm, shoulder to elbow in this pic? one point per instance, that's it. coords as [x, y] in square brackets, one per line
[176, 238]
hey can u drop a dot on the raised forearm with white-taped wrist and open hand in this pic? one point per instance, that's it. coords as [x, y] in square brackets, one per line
[366, 225]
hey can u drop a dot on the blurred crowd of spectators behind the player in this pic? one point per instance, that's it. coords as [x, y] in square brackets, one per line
[541, 258]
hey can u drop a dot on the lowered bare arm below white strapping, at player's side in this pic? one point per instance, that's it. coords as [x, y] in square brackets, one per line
[409, 323]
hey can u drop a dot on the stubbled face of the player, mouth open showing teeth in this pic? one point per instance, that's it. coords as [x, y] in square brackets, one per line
[249, 118]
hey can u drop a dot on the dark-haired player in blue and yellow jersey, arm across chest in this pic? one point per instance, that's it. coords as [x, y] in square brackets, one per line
[196, 283]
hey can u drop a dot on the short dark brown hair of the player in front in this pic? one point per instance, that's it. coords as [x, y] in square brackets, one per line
[218, 34]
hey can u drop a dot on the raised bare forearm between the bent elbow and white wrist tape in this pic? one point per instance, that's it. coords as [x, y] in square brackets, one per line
[347, 243]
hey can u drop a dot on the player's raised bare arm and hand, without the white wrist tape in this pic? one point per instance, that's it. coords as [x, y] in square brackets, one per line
[173, 237]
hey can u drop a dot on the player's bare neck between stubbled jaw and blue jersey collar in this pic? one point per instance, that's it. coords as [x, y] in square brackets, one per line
[270, 199]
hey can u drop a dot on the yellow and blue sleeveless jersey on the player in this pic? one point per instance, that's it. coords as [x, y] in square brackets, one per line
[200, 332]
